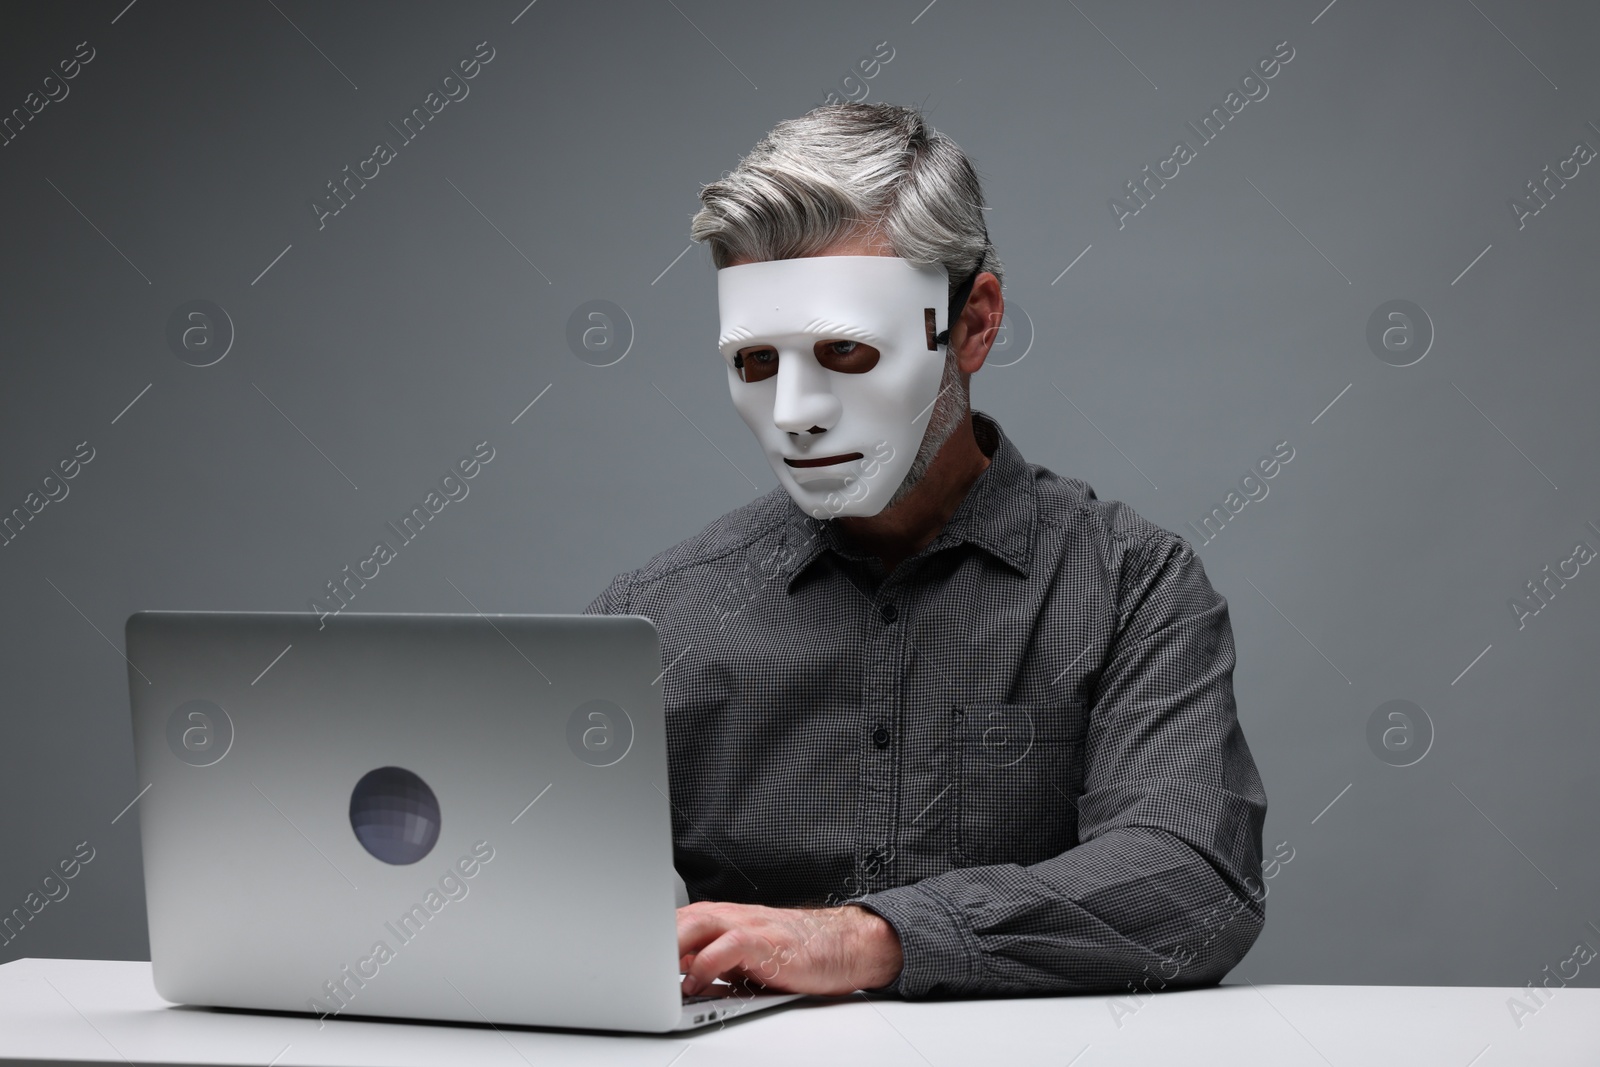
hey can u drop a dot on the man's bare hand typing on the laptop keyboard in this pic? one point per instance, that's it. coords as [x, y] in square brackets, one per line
[828, 951]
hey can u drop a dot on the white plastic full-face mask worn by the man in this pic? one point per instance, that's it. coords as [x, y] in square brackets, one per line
[801, 337]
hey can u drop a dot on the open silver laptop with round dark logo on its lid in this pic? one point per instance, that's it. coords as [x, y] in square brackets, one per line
[425, 817]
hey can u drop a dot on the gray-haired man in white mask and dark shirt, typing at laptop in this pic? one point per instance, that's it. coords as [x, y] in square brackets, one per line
[940, 721]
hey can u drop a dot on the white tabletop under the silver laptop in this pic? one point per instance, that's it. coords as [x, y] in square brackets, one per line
[108, 1013]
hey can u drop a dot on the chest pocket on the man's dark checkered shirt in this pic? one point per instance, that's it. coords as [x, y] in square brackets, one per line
[1020, 777]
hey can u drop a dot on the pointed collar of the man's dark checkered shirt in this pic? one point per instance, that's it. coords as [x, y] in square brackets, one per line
[996, 516]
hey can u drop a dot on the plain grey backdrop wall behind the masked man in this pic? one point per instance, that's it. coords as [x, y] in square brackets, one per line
[1223, 319]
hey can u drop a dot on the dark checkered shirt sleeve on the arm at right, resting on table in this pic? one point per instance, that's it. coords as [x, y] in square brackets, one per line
[1164, 885]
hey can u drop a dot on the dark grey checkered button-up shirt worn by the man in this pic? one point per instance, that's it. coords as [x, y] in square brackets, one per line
[1018, 748]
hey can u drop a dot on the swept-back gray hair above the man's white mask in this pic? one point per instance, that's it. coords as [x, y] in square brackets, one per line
[842, 170]
